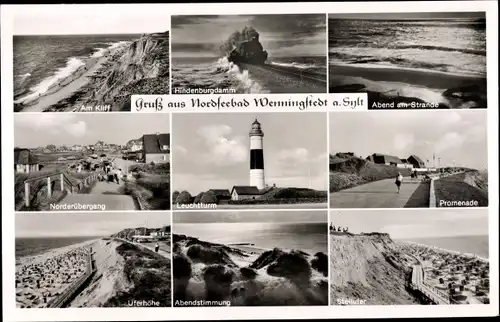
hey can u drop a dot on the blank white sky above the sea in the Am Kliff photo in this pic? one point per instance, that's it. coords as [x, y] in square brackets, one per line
[73, 20]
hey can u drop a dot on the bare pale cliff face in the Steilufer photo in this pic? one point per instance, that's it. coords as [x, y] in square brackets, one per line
[368, 267]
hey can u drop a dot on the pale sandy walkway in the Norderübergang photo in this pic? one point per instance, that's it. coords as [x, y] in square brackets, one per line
[105, 195]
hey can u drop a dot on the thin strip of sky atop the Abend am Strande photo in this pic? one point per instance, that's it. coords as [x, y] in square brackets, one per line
[408, 15]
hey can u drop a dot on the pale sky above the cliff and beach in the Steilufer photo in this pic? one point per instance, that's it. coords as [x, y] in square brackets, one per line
[415, 223]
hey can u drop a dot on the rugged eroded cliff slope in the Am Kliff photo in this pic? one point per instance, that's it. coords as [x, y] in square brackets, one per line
[142, 67]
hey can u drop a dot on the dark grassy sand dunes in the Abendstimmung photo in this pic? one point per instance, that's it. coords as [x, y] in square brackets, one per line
[244, 275]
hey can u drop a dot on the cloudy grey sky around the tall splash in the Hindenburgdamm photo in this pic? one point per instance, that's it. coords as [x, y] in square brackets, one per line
[280, 35]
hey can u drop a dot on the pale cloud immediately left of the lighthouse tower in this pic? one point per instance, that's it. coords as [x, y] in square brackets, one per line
[222, 149]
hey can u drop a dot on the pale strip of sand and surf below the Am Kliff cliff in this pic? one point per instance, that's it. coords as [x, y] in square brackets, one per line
[71, 84]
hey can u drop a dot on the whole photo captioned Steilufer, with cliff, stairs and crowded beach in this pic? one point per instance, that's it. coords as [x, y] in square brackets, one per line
[409, 257]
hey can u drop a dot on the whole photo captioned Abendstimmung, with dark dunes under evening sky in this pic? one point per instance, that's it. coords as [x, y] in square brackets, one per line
[250, 258]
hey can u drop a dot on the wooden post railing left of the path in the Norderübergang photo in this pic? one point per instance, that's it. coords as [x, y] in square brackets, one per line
[65, 182]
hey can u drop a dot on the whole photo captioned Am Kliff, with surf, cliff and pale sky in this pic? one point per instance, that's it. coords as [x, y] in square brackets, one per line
[93, 64]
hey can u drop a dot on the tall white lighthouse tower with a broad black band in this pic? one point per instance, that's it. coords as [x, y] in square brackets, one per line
[257, 156]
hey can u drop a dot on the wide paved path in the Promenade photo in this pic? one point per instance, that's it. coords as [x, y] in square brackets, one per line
[378, 194]
